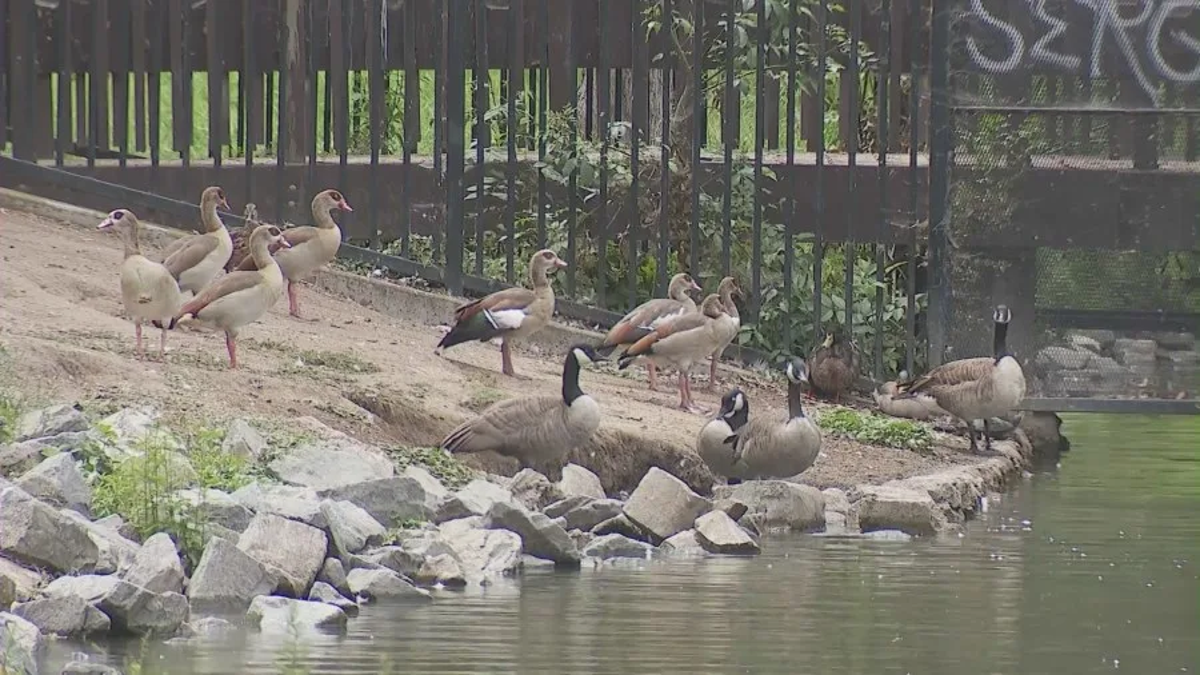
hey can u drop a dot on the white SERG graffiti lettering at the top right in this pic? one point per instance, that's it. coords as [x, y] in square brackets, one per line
[1159, 41]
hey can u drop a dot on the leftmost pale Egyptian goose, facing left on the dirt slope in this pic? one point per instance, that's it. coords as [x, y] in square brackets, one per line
[148, 290]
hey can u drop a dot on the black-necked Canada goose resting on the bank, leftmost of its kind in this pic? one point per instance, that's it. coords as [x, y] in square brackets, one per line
[537, 432]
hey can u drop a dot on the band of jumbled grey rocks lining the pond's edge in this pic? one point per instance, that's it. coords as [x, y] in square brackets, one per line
[333, 523]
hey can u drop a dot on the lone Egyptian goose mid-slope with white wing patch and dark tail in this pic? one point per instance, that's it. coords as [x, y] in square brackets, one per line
[512, 315]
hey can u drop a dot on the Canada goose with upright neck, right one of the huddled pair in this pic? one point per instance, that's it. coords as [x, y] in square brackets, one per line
[769, 447]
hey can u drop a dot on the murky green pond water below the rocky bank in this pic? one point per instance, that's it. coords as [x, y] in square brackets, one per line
[1090, 568]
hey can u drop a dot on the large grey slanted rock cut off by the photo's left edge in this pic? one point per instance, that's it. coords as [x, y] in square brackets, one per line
[39, 535]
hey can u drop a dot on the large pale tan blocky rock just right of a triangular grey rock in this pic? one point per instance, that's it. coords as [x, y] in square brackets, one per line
[295, 549]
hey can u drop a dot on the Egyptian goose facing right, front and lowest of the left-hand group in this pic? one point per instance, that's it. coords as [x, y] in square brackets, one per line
[242, 297]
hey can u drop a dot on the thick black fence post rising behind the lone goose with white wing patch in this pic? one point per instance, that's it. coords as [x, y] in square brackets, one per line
[457, 15]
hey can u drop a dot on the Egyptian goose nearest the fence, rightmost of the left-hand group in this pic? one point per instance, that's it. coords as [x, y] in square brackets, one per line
[311, 247]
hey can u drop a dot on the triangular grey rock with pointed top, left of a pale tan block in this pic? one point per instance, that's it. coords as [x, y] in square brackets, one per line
[227, 578]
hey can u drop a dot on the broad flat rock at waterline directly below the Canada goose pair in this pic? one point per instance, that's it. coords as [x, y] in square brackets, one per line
[777, 505]
